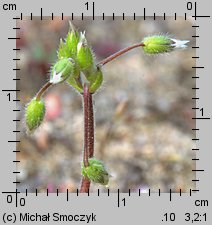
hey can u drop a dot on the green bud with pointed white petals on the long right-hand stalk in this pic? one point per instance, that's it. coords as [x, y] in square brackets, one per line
[157, 44]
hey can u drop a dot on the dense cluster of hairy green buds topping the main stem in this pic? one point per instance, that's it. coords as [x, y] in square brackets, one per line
[76, 59]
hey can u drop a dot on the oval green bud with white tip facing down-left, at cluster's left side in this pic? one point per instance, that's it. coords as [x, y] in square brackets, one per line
[62, 70]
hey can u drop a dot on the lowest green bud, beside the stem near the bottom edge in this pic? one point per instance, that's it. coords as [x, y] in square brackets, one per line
[96, 172]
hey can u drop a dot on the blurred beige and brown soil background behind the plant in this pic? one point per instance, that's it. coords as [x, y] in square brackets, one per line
[143, 111]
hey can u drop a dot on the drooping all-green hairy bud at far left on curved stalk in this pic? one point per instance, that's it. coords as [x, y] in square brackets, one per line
[35, 113]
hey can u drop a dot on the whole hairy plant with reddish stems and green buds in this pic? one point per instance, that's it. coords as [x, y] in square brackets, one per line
[76, 66]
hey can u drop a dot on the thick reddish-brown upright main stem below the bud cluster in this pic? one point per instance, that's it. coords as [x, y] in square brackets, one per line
[88, 135]
